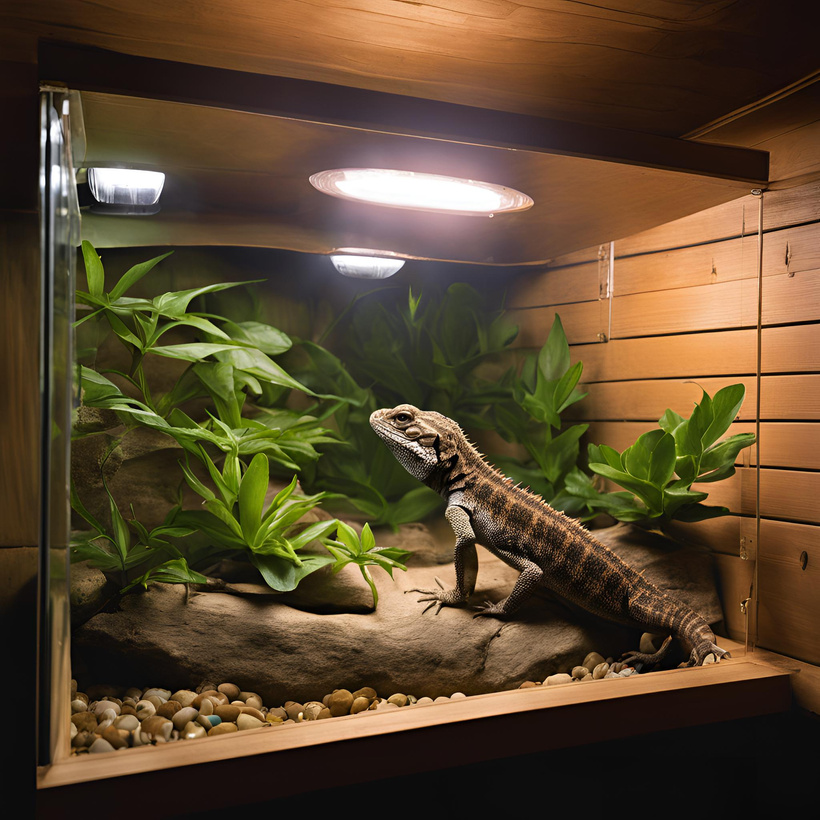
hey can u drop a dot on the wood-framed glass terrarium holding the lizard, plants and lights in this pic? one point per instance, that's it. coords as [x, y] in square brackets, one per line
[237, 550]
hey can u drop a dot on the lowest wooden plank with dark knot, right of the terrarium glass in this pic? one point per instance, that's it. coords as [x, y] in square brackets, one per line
[789, 608]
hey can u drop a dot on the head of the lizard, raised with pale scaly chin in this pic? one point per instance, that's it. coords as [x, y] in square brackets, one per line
[420, 439]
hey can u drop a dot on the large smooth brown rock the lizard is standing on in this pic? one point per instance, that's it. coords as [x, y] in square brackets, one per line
[259, 641]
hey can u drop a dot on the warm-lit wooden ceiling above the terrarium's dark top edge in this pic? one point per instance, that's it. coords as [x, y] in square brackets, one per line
[664, 68]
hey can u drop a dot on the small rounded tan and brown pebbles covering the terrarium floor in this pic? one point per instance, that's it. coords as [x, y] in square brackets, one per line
[107, 719]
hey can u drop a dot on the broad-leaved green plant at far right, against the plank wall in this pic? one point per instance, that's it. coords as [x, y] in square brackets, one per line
[658, 470]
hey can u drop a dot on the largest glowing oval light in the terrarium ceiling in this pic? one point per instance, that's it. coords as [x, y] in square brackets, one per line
[421, 192]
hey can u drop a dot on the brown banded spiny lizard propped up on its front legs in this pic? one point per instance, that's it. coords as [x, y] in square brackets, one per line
[547, 547]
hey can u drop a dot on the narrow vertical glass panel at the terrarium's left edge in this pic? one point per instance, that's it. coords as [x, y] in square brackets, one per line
[59, 225]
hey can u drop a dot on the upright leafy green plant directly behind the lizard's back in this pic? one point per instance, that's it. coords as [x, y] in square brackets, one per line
[531, 417]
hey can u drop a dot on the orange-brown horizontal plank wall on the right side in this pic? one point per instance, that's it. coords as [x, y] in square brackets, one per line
[656, 316]
